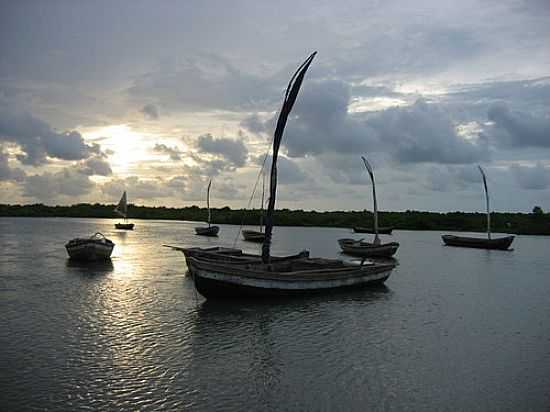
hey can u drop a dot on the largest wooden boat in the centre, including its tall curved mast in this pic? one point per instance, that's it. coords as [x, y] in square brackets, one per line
[215, 277]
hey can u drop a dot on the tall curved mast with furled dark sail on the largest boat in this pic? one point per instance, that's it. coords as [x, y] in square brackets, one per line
[290, 97]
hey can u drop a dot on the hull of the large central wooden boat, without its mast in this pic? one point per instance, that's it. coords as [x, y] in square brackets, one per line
[218, 280]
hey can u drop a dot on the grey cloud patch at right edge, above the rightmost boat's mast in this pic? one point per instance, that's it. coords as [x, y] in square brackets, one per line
[517, 129]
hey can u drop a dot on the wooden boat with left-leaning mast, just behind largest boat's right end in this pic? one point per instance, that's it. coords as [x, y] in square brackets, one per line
[367, 249]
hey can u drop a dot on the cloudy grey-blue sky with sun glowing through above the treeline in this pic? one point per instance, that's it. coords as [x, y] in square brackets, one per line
[157, 98]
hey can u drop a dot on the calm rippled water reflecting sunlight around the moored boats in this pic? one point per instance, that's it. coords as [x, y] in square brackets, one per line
[455, 329]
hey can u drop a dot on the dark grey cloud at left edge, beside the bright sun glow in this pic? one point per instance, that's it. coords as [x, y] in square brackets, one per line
[38, 140]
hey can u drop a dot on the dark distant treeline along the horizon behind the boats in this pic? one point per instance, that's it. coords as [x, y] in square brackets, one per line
[537, 223]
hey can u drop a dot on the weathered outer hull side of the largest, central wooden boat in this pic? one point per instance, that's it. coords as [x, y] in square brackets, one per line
[216, 281]
